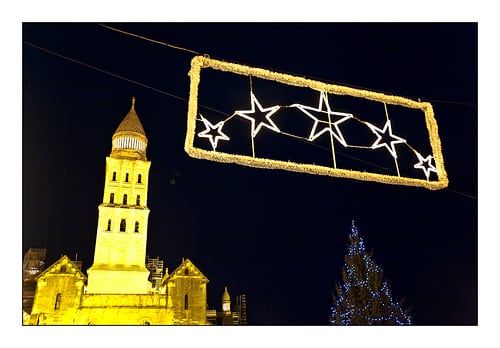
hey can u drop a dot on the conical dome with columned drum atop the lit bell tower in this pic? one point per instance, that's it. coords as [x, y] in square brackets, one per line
[130, 139]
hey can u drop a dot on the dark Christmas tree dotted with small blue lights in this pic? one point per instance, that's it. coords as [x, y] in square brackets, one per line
[364, 297]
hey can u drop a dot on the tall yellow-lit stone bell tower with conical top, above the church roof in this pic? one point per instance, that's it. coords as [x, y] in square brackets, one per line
[120, 250]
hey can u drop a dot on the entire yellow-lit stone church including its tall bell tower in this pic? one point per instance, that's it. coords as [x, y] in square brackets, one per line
[118, 288]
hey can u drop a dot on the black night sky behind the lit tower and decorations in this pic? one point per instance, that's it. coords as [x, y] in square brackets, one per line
[277, 236]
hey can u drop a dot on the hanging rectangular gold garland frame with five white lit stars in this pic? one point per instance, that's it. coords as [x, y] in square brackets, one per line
[385, 138]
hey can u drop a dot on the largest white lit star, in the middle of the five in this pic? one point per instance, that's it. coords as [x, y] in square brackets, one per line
[324, 109]
